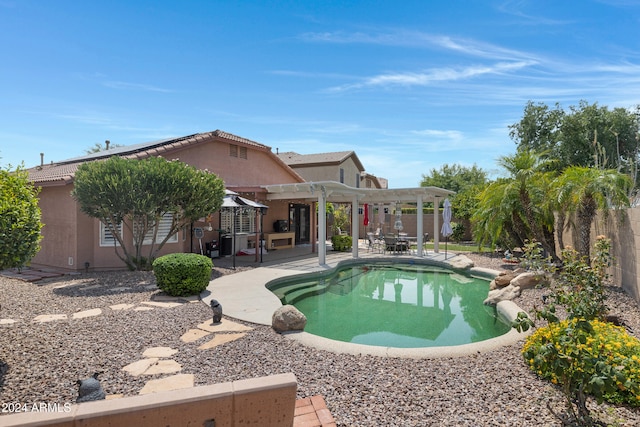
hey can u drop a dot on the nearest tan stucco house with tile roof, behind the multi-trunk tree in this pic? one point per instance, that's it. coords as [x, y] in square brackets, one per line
[75, 241]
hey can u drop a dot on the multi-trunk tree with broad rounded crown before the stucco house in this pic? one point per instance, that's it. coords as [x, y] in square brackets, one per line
[138, 194]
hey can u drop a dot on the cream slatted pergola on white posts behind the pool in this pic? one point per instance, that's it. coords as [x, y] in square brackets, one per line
[331, 191]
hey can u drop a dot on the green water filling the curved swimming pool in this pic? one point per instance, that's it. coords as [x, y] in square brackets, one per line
[394, 305]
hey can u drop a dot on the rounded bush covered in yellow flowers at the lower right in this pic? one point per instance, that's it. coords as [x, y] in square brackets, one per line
[587, 357]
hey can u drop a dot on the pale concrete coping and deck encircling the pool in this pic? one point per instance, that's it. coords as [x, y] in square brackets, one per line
[244, 296]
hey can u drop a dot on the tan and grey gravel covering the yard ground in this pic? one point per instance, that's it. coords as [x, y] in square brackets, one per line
[40, 362]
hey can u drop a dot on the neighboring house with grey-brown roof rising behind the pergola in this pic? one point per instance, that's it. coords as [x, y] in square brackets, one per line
[341, 166]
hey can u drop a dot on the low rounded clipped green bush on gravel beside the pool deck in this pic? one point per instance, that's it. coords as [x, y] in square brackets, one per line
[182, 274]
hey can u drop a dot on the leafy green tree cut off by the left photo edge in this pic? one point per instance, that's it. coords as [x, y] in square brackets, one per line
[19, 219]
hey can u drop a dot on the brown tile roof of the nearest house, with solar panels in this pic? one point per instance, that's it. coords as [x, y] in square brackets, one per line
[63, 172]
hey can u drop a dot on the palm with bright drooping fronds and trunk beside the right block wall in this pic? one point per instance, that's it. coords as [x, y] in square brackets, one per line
[584, 191]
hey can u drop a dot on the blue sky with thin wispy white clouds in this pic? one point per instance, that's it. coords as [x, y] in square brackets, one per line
[409, 85]
